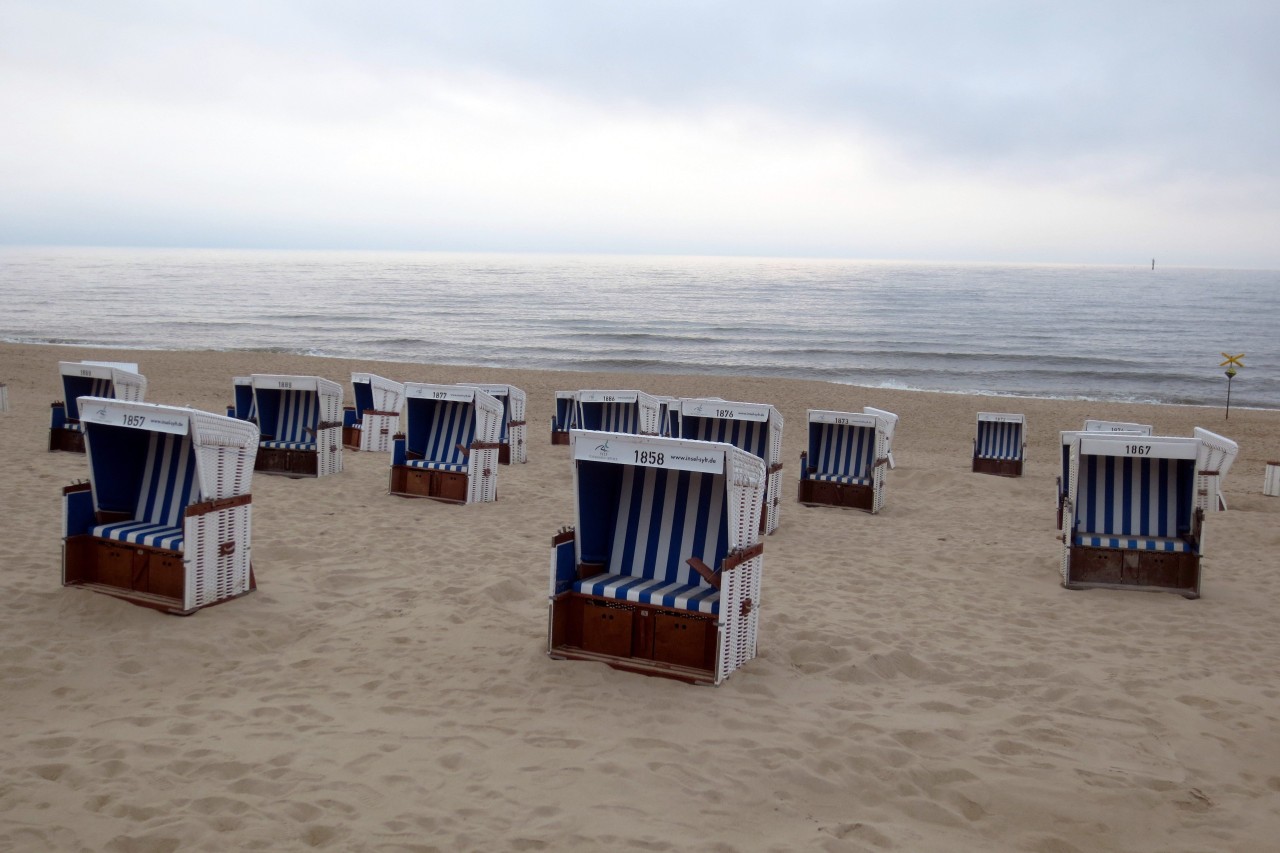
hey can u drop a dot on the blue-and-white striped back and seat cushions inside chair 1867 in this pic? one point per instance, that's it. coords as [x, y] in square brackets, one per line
[1123, 500]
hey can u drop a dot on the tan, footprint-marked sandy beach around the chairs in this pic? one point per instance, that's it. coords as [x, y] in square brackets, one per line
[924, 681]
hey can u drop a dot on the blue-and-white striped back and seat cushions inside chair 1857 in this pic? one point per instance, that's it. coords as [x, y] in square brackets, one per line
[168, 487]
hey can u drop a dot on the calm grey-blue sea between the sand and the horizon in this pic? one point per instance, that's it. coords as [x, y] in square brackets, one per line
[1127, 334]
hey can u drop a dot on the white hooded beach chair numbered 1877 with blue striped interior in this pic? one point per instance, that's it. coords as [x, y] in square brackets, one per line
[450, 448]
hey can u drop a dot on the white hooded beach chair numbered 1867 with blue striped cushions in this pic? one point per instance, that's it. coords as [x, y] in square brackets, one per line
[1137, 508]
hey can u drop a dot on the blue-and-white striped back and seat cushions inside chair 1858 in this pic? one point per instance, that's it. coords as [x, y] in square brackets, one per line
[664, 519]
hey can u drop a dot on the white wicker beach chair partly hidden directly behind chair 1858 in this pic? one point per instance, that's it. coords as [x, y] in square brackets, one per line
[756, 428]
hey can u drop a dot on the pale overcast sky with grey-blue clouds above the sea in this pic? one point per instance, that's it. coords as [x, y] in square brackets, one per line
[1012, 131]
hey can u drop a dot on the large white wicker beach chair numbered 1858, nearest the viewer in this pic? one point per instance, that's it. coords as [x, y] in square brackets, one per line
[662, 571]
